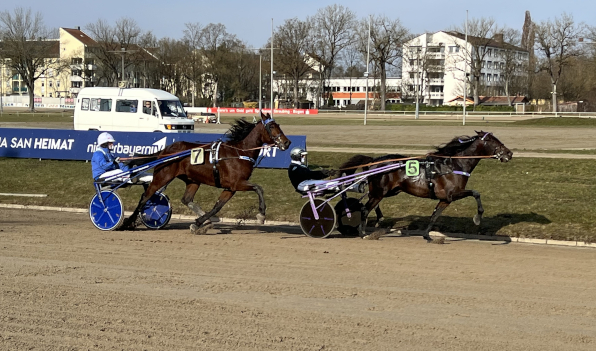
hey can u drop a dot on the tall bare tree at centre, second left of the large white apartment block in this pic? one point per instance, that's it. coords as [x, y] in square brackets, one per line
[332, 28]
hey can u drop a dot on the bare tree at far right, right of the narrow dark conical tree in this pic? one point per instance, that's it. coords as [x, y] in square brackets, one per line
[556, 41]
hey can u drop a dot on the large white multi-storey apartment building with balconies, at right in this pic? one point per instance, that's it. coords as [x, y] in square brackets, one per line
[435, 64]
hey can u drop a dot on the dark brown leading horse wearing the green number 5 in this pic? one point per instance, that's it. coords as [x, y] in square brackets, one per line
[443, 175]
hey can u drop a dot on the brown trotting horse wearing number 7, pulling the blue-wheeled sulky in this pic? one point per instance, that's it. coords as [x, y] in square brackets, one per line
[232, 163]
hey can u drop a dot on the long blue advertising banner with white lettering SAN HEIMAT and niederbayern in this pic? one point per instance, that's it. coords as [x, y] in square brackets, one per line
[59, 144]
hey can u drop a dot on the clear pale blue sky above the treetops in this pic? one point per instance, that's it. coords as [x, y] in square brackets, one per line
[250, 20]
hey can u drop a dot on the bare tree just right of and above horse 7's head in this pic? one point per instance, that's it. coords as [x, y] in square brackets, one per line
[293, 39]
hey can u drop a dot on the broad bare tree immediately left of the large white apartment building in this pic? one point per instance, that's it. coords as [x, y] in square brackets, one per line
[386, 39]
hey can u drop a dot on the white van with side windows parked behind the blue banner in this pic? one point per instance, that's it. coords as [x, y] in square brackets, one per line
[130, 109]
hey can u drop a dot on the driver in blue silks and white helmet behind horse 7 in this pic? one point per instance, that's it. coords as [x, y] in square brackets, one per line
[104, 163]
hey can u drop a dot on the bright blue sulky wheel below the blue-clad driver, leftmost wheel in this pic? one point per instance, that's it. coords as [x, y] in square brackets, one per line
[106, 213]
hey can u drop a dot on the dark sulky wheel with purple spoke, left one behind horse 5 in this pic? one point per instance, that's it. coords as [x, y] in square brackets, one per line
[317, 228]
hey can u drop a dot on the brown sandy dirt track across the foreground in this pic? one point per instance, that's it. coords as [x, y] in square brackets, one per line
[68, 286]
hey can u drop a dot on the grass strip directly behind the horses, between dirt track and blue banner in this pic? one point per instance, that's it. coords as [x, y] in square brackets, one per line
[526, 197]
